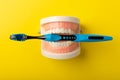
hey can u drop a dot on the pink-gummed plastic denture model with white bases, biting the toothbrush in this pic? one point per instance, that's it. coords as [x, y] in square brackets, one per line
[60, 25]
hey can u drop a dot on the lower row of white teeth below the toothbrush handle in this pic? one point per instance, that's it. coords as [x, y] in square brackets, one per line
[60, 44]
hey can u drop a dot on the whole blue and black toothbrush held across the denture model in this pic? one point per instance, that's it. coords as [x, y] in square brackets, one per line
[57, 37]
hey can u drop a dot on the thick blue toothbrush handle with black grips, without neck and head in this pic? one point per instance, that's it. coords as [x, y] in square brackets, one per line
[77, 38]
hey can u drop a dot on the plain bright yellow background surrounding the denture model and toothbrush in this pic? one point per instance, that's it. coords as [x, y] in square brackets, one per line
[23, 60]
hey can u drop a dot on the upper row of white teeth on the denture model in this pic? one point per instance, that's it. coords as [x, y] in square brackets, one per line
[58, 30]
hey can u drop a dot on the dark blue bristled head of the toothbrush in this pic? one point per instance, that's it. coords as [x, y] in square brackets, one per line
[18, 37]
